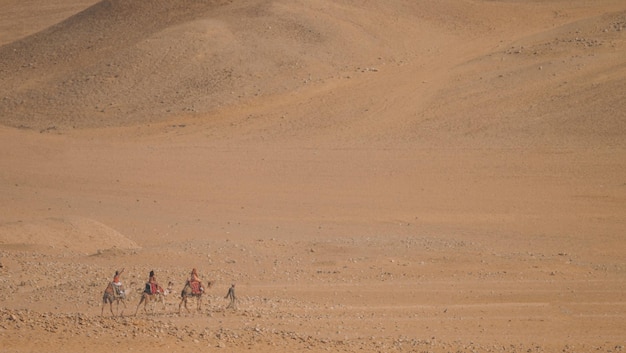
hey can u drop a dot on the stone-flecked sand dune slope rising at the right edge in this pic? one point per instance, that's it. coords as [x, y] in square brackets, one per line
[555, 87]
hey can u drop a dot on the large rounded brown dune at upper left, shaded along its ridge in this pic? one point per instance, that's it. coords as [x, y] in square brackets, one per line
[128, 62]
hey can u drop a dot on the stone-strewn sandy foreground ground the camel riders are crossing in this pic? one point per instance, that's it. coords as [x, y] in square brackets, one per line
[456, 298]
